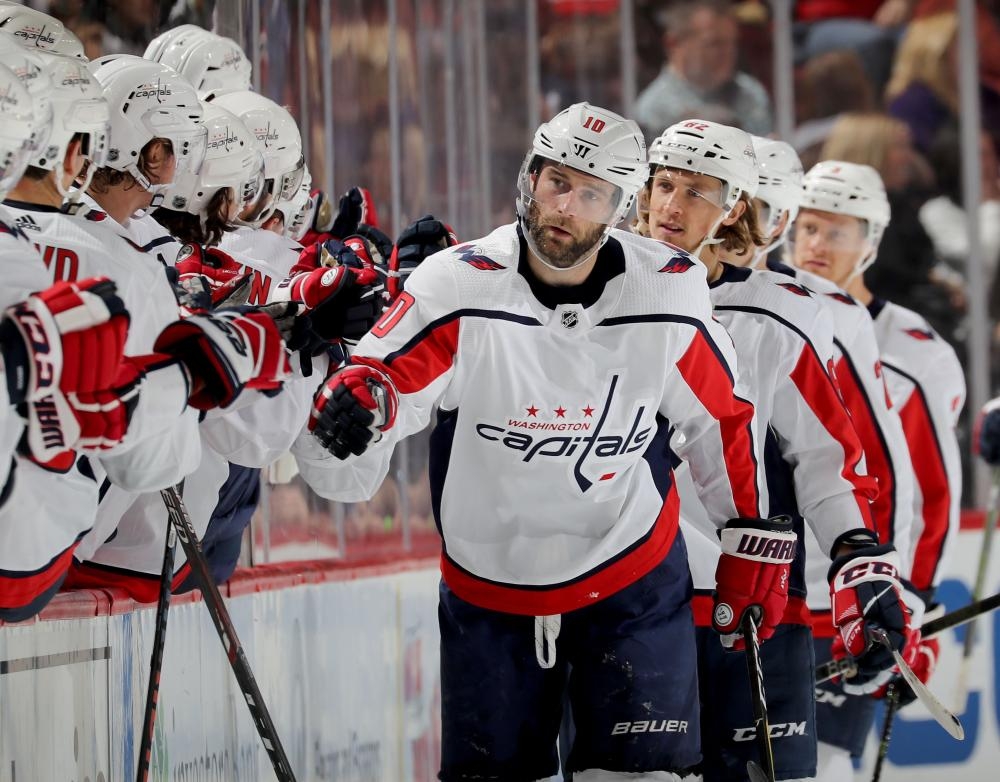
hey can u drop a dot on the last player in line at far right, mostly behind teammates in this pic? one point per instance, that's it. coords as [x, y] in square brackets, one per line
[836, 235]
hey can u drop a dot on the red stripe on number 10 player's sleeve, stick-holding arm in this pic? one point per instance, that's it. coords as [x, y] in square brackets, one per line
[707, 375]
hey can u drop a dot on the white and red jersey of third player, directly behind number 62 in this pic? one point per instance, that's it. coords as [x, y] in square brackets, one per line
[858, 371]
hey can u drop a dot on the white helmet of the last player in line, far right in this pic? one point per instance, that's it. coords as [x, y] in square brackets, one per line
[851, 189]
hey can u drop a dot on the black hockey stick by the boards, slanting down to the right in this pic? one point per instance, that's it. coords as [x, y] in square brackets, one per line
[181, 522]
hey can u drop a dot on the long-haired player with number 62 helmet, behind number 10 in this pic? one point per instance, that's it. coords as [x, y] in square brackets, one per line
[703, 176]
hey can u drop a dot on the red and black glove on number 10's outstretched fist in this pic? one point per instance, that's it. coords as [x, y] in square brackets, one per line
[352, 409]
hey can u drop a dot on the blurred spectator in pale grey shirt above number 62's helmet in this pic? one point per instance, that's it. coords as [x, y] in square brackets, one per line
[699, 77]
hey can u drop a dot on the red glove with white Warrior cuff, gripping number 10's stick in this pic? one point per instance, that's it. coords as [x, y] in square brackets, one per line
[752, 575]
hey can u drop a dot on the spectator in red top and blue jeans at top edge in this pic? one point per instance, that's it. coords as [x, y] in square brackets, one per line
[869, 27]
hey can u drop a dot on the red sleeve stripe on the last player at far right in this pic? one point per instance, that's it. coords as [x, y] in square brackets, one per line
[935, 490]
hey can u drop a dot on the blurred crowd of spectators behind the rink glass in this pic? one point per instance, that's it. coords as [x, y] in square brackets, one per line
[875, 82]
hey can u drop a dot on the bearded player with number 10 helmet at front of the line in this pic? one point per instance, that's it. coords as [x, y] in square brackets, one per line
[555, 499]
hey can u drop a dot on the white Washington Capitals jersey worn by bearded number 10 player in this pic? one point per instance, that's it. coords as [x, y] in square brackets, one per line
[550, 467]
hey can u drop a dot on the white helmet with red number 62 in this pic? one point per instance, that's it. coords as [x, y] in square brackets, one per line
[710, 148]
